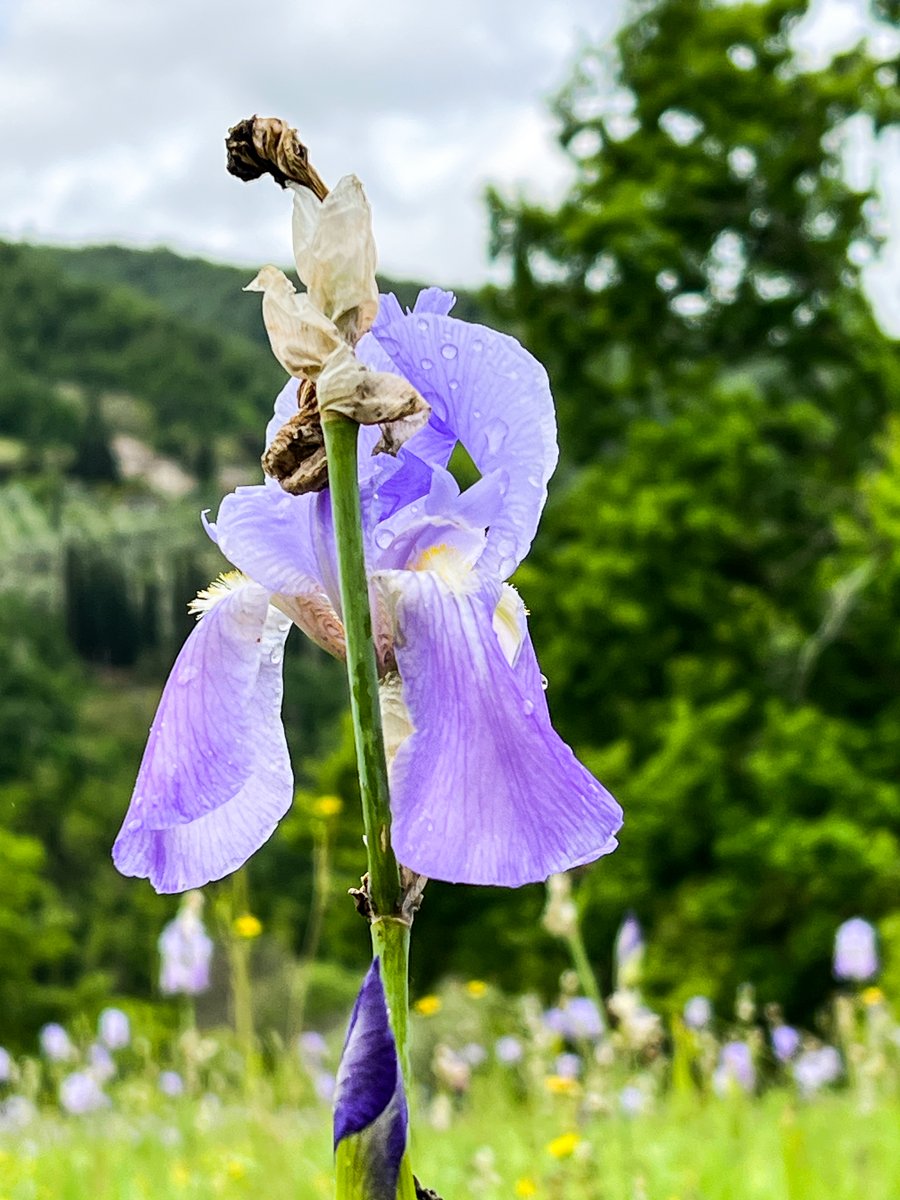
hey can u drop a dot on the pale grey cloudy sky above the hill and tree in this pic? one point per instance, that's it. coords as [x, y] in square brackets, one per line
[119, 110]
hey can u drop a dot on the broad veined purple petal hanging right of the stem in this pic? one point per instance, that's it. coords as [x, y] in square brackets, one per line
[484, 791]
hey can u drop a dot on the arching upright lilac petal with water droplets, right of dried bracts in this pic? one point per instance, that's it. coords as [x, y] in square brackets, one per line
[495, 397]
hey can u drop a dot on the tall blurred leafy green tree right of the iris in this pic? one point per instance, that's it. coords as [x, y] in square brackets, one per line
[719, 643]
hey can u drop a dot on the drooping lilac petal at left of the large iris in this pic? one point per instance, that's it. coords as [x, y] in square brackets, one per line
[217, 777]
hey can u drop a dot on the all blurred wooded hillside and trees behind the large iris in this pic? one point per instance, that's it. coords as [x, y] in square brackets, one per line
[715, 590]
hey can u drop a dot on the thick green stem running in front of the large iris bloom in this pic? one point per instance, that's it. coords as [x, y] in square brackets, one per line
[391, 934]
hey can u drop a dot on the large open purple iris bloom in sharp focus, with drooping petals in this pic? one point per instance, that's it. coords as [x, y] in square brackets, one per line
[483, 789]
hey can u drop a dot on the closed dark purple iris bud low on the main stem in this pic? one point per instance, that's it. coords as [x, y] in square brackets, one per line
[371, 1117]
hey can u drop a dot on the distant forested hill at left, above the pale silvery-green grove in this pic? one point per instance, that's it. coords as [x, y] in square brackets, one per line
[163, 349]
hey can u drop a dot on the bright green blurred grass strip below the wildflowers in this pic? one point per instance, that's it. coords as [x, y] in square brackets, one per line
[765, 1150]
